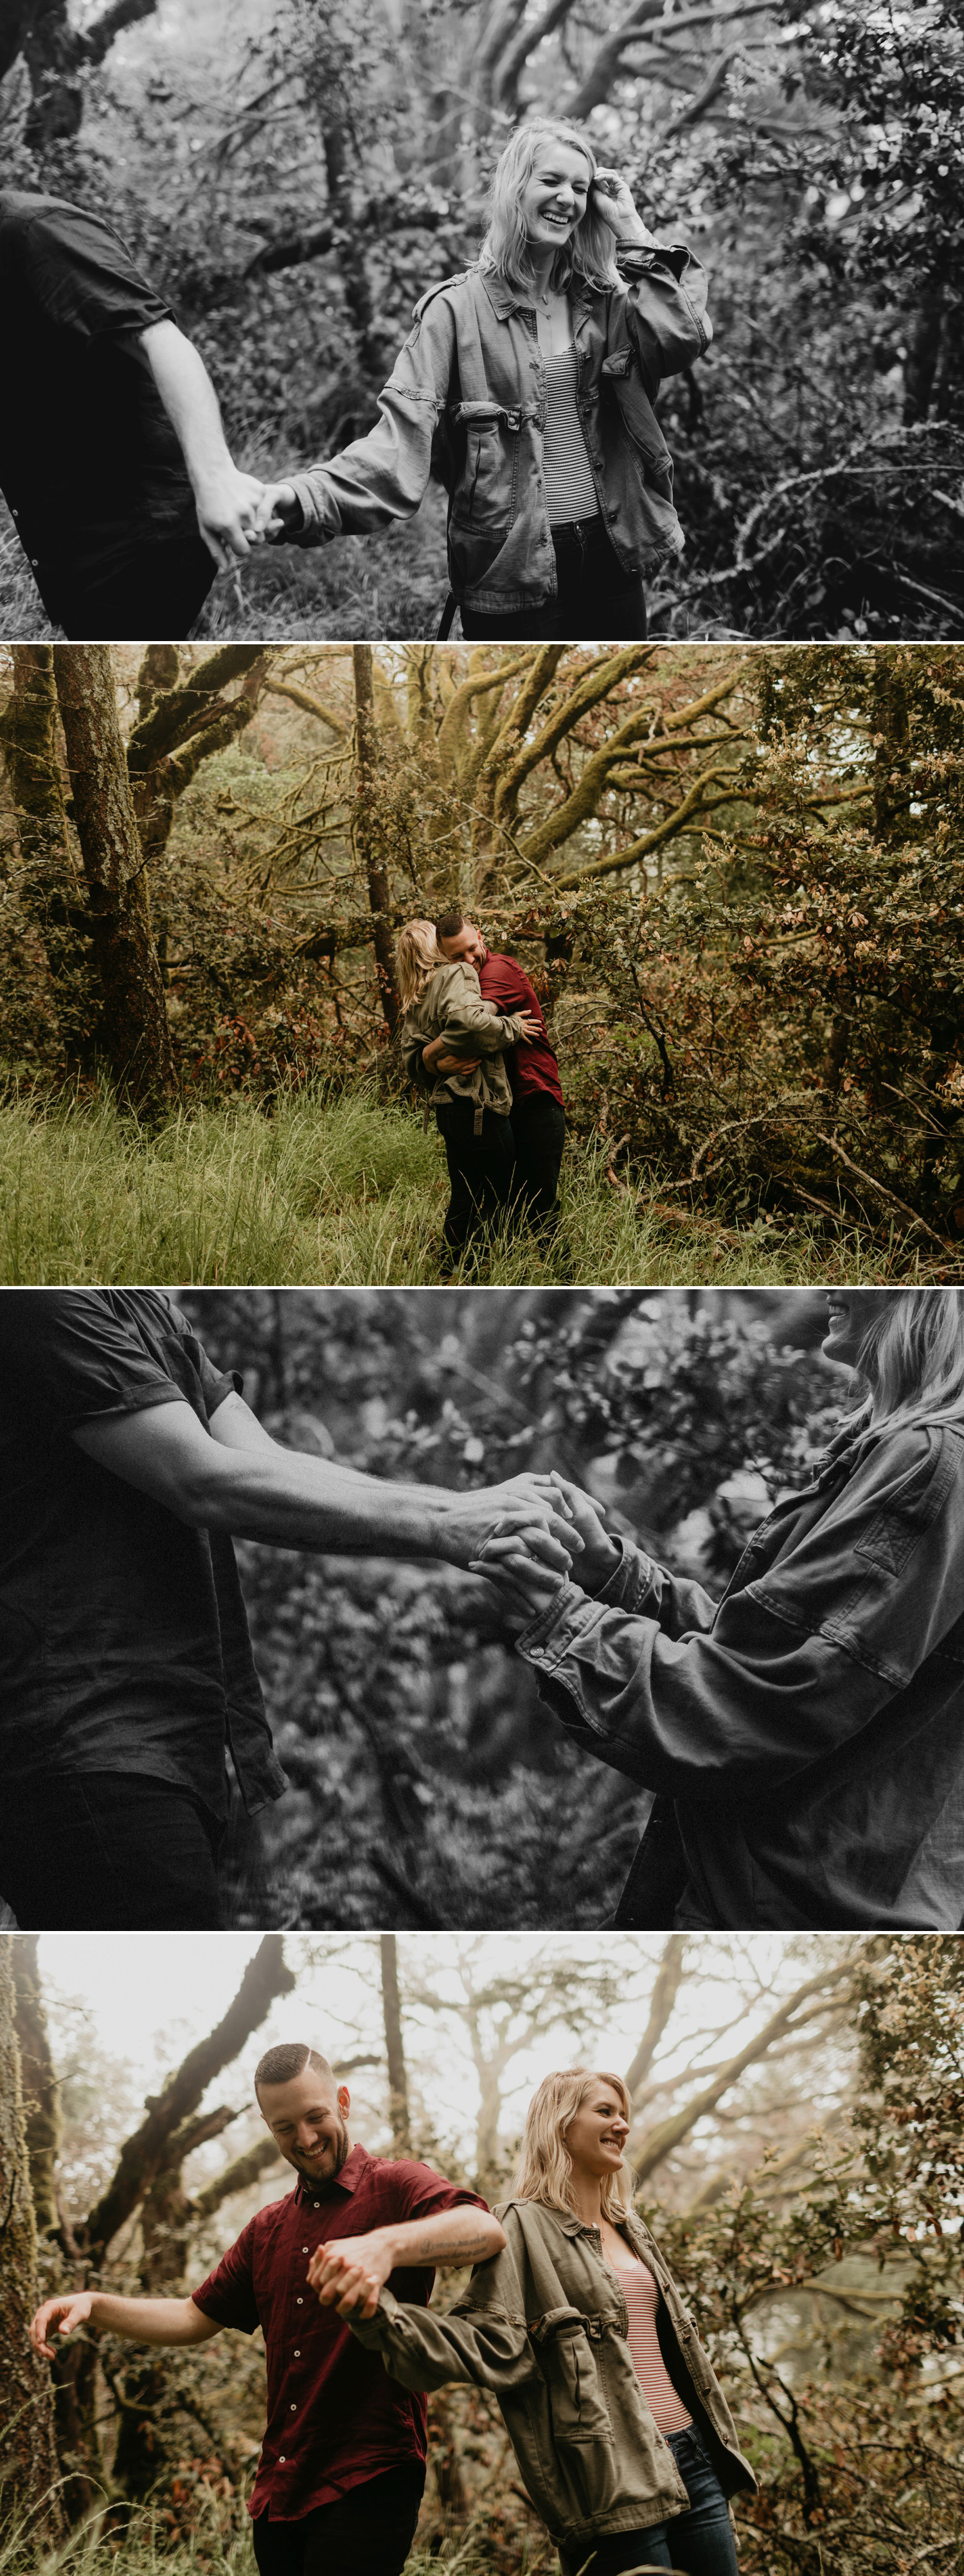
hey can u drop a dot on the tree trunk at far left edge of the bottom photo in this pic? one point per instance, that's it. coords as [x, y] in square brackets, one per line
[30, 2469]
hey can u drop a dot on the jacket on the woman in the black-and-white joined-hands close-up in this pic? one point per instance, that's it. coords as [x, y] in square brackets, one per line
[808, 1727]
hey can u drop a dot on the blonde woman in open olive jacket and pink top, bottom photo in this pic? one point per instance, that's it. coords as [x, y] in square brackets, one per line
[620, 2428]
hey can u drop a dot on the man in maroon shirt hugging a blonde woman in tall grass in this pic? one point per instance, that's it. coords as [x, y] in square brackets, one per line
[535, 1073]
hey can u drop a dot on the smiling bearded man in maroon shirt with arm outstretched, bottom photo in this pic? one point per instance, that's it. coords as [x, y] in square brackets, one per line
[344, 2456]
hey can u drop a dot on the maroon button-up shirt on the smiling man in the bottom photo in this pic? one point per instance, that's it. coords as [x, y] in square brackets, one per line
[334, 2412]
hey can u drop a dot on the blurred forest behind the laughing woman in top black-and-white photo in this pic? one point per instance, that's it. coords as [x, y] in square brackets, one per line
[300, 174]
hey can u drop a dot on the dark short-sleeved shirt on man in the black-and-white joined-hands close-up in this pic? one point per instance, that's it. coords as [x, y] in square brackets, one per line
[122, 1632]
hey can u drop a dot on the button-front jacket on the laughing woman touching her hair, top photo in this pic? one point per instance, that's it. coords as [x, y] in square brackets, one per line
[470, 390]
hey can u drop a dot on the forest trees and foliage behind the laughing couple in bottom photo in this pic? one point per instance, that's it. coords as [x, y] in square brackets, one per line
[795, 2145]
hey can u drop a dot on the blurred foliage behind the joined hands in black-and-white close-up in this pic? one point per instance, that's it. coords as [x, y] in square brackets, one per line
[429, 1786]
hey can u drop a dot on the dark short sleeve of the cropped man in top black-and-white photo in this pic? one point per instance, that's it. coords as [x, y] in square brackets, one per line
[81, 277]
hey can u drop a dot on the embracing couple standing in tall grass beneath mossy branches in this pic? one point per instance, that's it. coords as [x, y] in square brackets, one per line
[478, 1047]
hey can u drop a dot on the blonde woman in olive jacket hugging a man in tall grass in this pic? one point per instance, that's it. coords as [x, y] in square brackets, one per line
[473, 1106]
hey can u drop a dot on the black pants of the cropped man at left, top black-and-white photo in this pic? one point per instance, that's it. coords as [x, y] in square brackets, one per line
[156, 594]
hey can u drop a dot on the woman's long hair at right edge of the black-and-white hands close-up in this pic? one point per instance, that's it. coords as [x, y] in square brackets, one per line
[911, 1359]
